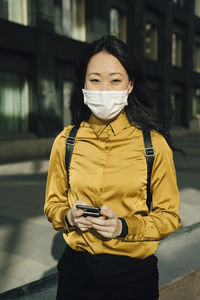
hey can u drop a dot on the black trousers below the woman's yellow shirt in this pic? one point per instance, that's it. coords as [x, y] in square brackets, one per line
[82, 276]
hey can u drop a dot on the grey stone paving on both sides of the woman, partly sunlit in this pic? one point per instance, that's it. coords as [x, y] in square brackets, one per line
[30, 248]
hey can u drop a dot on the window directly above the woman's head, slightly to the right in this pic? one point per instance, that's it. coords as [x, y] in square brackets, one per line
[118, 23]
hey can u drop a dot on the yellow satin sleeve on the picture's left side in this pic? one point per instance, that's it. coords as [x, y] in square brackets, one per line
[56, 202]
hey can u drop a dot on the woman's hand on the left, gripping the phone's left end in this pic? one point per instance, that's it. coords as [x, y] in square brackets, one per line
[75, 217]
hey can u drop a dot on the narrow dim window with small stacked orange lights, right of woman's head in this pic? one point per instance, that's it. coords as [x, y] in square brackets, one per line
[151, 41]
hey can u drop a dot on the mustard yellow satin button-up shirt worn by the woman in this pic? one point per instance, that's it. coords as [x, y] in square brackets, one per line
[108, 167]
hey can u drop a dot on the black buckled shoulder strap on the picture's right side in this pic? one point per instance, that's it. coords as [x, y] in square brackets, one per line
[149, 154]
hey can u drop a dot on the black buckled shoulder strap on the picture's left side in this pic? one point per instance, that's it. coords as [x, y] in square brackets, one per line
[70, 141]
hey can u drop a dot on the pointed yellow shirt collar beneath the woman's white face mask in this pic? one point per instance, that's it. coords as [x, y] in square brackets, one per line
[117, 125]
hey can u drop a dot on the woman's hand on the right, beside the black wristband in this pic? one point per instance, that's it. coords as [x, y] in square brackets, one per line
[109, 226]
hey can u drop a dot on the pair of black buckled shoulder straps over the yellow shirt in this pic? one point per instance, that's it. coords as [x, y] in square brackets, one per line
[148, 152]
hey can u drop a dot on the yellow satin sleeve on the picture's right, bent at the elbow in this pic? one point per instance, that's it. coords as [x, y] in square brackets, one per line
[164, 218]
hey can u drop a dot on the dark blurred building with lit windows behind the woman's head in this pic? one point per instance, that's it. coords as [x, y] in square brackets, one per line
[40, 42]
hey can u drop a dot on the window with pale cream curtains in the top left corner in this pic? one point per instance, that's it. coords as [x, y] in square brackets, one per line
[14, 10]
